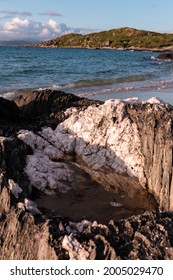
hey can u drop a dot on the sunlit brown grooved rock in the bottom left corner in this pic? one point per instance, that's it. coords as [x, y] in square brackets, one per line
[21, 238]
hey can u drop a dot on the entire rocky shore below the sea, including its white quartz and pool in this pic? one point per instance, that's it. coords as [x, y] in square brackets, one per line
[83, 179]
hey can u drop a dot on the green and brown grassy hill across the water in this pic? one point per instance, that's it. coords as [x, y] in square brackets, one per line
[121, 38]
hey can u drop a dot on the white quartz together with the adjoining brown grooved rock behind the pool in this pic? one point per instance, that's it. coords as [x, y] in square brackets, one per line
[122, 144]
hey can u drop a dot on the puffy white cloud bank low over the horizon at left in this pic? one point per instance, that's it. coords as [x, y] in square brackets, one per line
[19, 28]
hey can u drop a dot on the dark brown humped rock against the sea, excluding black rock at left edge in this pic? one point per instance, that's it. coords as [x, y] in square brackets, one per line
[47, 107]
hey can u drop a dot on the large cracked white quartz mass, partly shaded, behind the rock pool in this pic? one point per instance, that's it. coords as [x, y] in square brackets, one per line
[103, 137]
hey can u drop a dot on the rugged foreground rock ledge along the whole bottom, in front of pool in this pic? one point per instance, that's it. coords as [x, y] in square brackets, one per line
[146, 237]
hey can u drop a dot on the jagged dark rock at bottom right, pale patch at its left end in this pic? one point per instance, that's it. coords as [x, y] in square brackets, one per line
[141, 237]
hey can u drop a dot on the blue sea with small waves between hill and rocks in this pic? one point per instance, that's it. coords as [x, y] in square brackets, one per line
[94, 73]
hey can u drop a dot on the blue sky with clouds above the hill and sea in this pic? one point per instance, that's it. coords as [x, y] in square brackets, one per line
[47, 19]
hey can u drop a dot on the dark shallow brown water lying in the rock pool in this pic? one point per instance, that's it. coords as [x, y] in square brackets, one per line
[88, 200]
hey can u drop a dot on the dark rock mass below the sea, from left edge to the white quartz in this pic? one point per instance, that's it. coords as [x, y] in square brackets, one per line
[38, 109]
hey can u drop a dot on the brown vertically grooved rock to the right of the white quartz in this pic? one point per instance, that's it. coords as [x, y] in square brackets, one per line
[154, 124]
